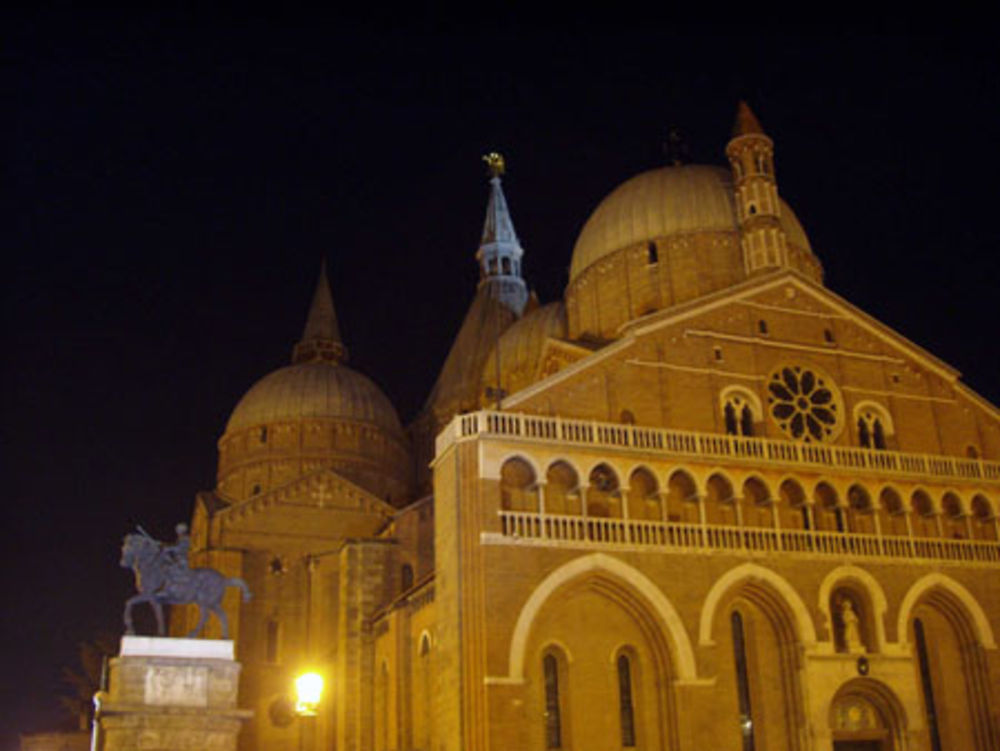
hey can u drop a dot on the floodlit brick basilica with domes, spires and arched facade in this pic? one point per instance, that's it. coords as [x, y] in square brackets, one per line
[701, 501]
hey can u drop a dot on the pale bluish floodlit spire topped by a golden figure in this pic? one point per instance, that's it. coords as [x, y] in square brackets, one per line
[500, 252]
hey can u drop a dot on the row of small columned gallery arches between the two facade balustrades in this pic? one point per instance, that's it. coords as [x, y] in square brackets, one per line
[858, 508]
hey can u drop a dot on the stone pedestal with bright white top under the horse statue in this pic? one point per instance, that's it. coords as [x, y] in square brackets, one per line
[171, 694]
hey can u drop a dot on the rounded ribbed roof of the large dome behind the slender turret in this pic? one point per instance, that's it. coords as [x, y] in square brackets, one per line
[666, 201]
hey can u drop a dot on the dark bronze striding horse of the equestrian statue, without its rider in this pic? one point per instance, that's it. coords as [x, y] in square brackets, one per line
[161, 581]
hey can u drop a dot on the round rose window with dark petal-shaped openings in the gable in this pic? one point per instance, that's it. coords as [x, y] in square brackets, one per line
[804, 403]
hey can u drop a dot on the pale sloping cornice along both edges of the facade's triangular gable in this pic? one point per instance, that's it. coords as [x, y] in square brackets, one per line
[832, 304]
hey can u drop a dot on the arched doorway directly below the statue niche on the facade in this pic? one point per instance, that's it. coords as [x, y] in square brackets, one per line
[866, 716]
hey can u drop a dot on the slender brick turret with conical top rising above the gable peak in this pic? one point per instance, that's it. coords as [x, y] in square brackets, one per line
[758, 210]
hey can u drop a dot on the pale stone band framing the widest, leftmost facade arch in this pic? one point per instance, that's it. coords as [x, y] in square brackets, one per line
[681, 649]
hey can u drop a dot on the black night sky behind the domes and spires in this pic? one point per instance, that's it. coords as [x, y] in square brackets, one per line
[174, 181]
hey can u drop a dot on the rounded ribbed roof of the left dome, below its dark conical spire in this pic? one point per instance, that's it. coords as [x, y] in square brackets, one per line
[314, 390]
